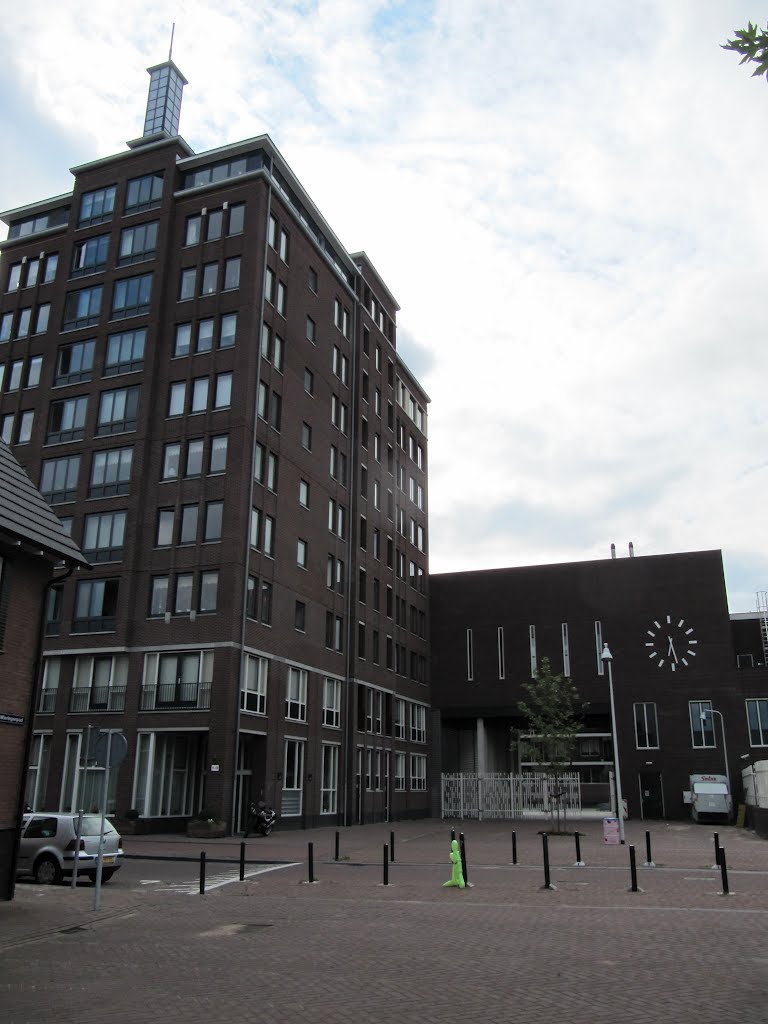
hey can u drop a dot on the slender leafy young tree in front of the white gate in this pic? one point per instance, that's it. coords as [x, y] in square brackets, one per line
[554, 712]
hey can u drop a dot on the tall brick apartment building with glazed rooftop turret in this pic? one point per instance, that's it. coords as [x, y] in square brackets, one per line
[205, 386]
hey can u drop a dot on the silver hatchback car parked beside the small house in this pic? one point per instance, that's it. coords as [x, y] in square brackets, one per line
[48, 847]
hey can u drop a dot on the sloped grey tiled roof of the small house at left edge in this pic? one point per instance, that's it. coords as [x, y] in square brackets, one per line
[26, 517]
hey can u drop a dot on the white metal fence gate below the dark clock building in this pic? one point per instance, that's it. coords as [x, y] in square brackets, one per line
[498, 795]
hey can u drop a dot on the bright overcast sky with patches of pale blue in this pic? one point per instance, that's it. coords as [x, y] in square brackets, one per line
[568, 200]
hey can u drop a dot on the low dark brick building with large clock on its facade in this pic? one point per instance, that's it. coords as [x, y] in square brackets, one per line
[676, 655]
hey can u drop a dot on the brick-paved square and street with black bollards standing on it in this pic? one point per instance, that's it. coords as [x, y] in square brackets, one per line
[278, 950]
